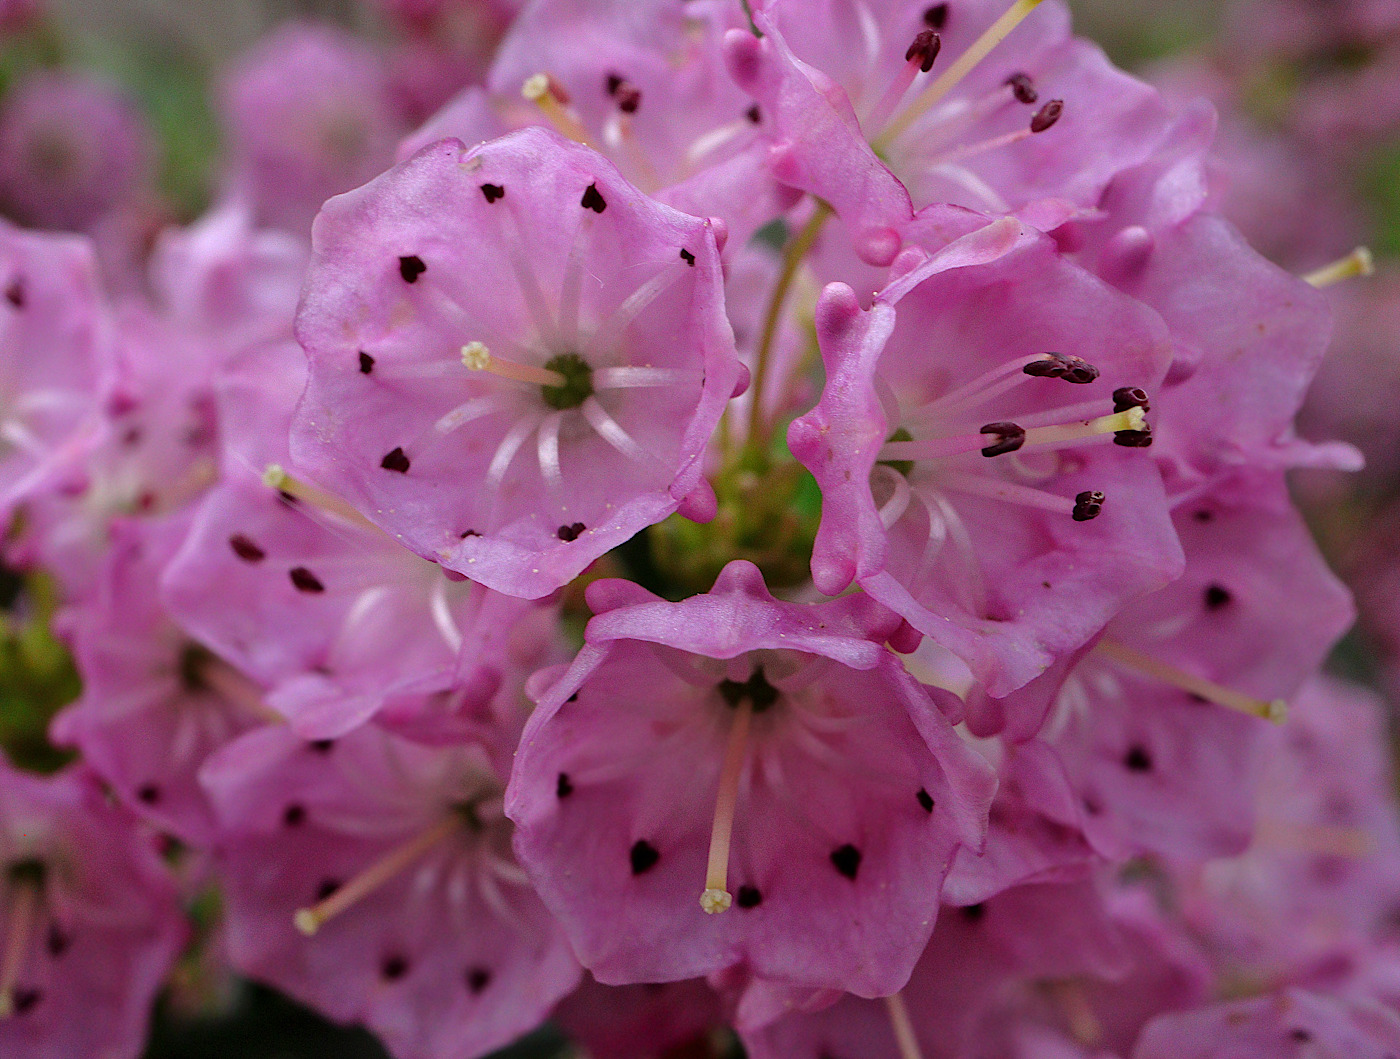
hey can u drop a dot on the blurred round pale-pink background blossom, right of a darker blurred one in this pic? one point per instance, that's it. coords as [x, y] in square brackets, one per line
[309, 116]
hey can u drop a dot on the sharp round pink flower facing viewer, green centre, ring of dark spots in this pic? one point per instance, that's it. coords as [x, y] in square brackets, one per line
[516, 359]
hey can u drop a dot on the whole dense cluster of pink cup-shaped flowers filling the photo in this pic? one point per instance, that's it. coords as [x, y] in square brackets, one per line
[779, 506]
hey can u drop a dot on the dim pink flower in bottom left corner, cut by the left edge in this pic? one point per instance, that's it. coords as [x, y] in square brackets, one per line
[90, 921]
